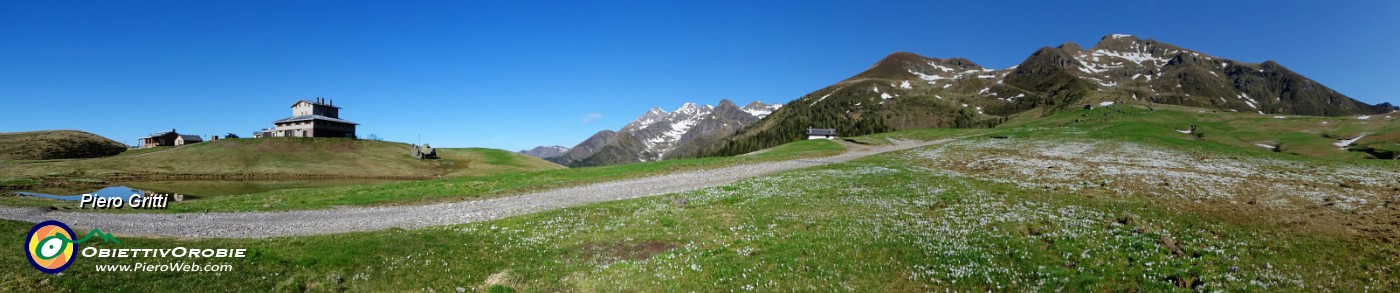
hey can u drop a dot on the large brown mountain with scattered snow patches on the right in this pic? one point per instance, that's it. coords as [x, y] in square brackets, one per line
[909, 92]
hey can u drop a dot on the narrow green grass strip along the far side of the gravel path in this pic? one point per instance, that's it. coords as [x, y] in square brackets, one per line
[461, 189]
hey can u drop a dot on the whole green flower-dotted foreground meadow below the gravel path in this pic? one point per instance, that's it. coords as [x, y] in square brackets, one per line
[944, 218]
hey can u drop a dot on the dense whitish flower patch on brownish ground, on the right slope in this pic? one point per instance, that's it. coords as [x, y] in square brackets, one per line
[1133, 169]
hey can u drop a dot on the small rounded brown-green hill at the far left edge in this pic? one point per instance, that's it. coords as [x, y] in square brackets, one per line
[50, 145]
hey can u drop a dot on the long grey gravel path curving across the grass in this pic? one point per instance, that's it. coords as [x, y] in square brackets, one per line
[255, 225]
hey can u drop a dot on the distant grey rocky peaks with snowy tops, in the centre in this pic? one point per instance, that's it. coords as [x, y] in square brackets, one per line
[689, 131]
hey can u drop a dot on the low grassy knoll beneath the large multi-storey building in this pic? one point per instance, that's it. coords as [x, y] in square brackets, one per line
[282, 158]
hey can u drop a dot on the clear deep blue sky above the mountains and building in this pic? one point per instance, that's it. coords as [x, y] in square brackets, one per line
[516, 75]
